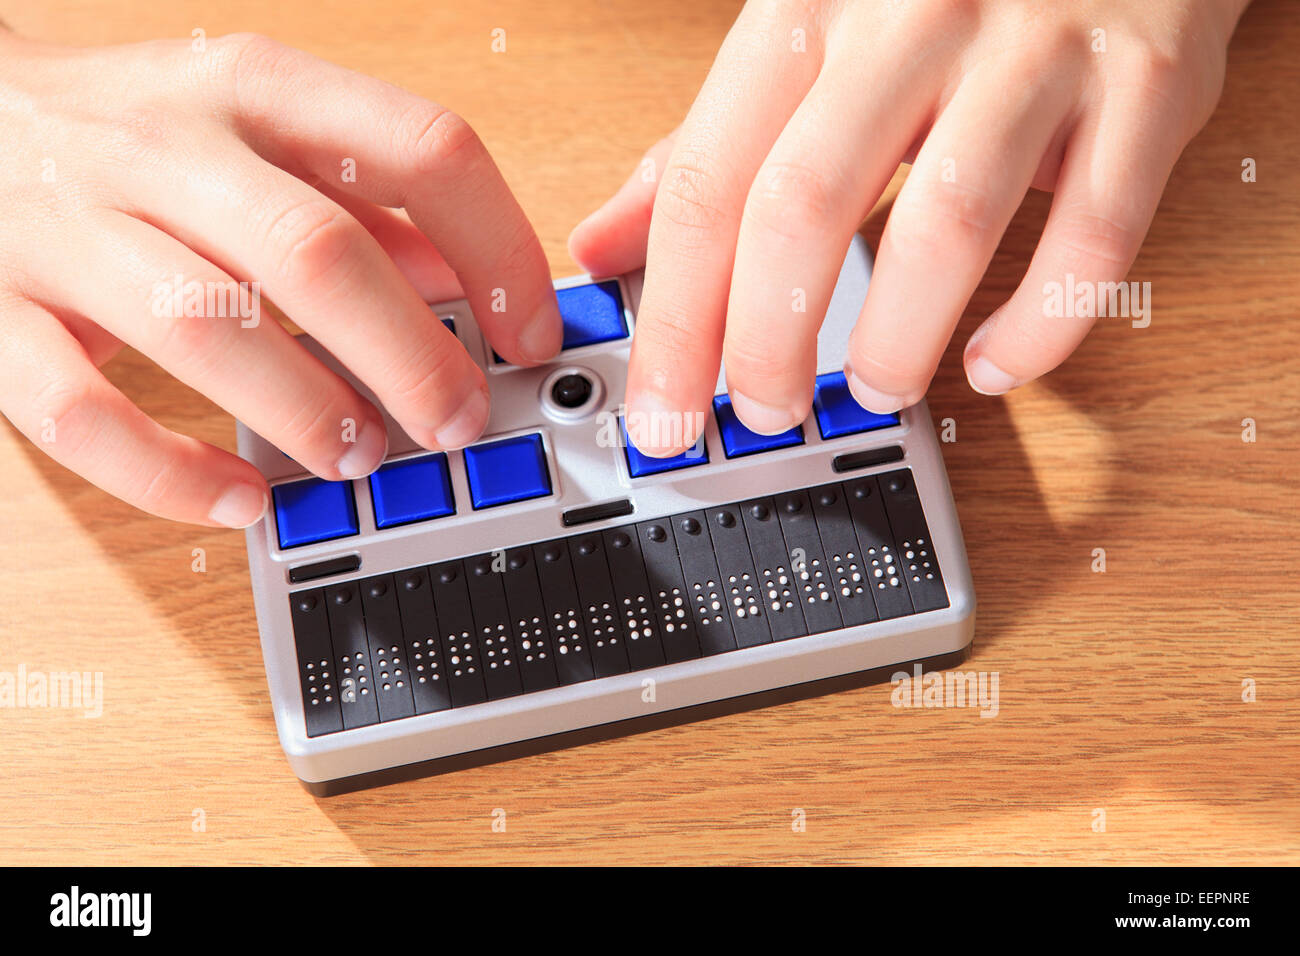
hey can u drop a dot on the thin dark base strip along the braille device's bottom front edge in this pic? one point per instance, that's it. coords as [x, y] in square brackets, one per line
[634, 725]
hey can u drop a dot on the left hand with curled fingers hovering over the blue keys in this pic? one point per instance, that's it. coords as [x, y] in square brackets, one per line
[128, 168]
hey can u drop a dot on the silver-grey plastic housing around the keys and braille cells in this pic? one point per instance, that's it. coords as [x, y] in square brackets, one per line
[587, 470]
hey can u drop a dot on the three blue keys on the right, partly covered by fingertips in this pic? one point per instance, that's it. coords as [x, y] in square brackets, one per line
[838, 416]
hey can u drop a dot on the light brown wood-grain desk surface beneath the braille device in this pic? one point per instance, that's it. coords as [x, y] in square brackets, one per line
[1120, 691]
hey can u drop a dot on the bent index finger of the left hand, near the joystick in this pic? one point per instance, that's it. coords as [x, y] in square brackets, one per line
[393, 148]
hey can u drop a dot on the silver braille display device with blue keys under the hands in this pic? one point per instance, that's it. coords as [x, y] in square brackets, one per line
[551, 585]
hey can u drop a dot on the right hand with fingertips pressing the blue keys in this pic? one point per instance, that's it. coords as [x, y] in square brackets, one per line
[760, 191]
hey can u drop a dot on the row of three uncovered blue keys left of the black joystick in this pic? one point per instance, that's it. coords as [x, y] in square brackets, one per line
[413, 490]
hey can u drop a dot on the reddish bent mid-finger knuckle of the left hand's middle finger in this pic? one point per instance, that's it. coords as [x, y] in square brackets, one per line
[315, 244]
